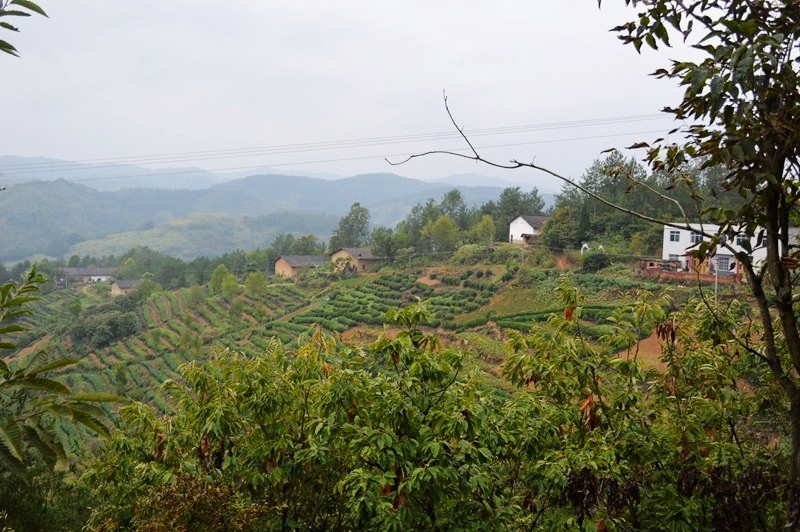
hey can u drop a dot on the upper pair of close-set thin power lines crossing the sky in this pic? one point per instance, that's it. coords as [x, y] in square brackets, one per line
[182, 157]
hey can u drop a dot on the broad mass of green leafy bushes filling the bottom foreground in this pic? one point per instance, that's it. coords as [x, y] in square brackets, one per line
[398, 437]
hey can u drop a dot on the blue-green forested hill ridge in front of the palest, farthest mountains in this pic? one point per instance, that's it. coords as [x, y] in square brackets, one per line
[48, 217]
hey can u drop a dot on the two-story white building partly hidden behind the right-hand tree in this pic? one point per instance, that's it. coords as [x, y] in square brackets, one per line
[678, 243]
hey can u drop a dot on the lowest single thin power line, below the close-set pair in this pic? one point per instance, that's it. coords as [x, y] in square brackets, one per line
[365, 157]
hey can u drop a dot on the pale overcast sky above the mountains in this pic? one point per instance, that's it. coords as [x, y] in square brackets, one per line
[330, 87]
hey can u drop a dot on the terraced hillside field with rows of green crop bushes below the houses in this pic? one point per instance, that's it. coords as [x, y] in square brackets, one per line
[175, 327]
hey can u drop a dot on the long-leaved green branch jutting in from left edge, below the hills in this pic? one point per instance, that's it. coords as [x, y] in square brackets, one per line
[29, 399]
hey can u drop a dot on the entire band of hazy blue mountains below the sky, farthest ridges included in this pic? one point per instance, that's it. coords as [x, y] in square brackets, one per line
[62, 217]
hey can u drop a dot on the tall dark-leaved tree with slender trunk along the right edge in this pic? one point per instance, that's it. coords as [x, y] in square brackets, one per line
[741, 98]
